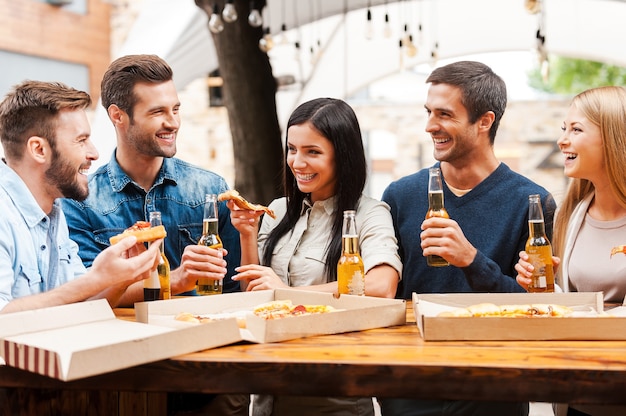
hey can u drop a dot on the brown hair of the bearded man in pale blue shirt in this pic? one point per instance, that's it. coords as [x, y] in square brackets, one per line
[31, 108]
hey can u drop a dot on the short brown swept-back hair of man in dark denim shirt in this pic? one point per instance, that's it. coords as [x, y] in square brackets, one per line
[124, 73]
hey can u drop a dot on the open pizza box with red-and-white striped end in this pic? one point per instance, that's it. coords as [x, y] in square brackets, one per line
[85, 339]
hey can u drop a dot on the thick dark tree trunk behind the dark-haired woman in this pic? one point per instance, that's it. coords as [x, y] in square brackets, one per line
[249, 95]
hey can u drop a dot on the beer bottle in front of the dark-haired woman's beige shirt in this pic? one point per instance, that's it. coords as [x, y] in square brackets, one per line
[350, 269]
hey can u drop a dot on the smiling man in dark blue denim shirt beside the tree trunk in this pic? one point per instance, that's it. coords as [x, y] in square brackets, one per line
[143, 176]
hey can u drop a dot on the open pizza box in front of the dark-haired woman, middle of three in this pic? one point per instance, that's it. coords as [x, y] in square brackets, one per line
[353, 313]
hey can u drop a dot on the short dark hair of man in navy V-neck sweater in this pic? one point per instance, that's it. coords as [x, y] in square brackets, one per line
[482, 89]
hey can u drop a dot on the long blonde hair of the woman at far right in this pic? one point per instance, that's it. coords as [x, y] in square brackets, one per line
[606, 108]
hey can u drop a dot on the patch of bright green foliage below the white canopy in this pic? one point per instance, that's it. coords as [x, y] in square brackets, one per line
[571, 76]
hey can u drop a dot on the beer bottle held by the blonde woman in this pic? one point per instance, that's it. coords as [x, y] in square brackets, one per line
[538, 248]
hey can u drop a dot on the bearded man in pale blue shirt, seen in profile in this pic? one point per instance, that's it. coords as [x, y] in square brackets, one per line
[45, 136]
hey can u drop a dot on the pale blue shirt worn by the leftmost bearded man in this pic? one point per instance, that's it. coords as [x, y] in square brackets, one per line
[36, 253]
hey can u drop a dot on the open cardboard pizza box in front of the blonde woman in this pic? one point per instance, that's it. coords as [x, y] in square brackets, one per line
[588, 322]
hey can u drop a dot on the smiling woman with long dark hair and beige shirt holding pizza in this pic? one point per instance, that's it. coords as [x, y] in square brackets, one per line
[325, 173]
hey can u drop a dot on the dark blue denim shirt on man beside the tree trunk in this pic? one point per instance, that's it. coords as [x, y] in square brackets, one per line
[115, 202]
